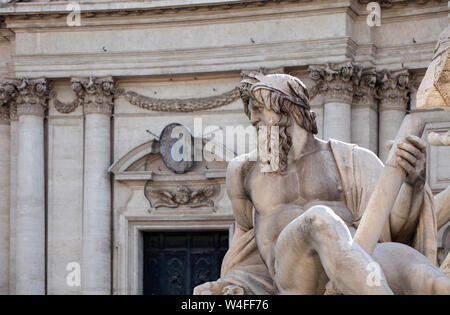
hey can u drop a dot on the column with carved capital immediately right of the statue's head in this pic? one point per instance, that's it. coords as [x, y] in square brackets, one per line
[335, 83]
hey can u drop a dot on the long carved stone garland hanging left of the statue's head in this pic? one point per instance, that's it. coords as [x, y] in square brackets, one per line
[182, 105]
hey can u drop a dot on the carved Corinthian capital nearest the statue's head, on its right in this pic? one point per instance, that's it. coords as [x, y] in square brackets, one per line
[335, 82]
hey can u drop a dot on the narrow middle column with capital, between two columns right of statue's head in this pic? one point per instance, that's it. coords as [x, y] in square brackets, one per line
[365, 111]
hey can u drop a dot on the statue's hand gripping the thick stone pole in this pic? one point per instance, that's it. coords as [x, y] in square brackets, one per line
[412, 158]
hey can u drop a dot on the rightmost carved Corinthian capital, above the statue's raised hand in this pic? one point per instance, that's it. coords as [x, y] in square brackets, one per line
[393, 89]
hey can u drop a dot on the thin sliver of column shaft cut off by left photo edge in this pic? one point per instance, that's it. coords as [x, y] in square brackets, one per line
[4, 197]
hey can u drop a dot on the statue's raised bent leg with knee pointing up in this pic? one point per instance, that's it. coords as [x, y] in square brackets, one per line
[316, 246]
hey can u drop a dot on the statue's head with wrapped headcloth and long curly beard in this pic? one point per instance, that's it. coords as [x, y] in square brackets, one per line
[277, 100]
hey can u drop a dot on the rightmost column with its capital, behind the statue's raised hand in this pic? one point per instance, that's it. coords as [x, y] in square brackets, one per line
[393, 93]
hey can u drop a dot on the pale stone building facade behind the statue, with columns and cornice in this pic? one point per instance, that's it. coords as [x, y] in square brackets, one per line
[180, 61]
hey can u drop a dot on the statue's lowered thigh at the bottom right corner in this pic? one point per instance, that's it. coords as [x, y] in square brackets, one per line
[409, 272]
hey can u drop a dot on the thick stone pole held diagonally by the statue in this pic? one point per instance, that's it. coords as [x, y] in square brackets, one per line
[389, 183]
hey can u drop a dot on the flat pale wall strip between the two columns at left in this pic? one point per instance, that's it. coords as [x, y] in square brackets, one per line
[65, 202]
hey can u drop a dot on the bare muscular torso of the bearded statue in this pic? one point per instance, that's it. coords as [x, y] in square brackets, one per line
[312, 180]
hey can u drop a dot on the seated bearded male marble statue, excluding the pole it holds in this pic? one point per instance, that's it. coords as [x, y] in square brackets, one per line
[295, 225]
